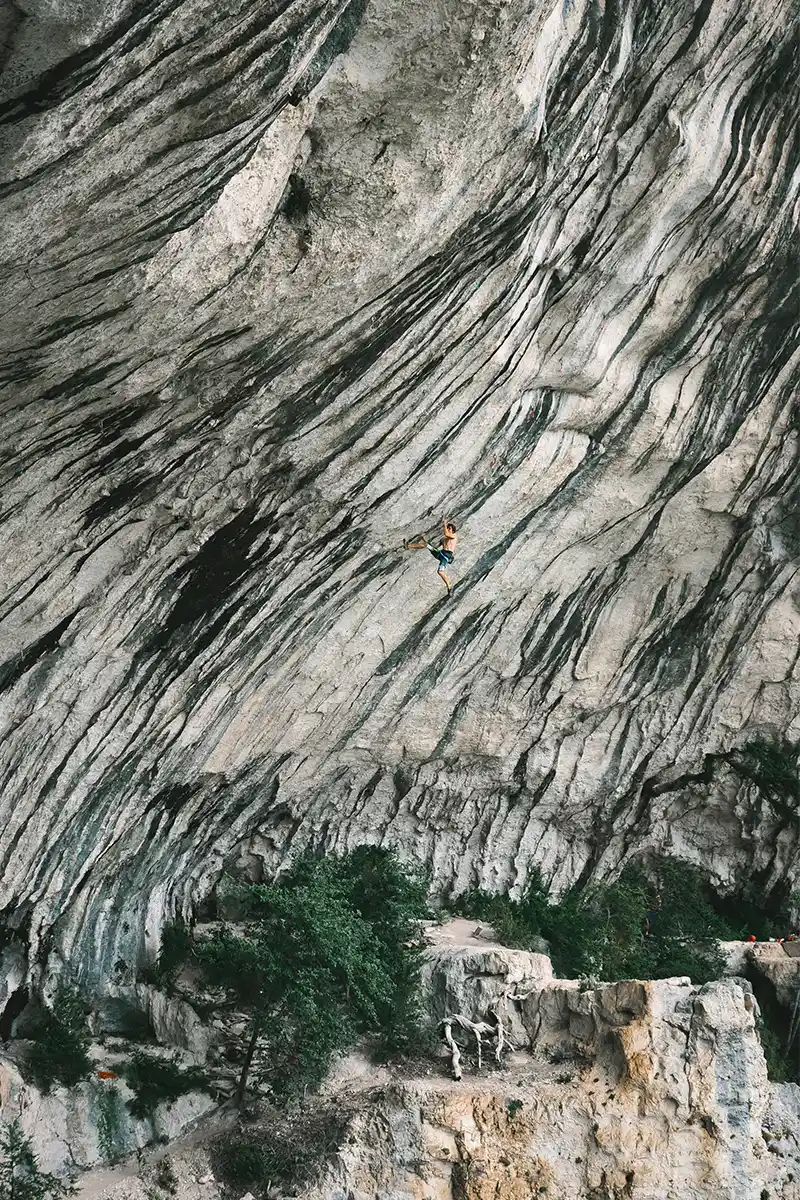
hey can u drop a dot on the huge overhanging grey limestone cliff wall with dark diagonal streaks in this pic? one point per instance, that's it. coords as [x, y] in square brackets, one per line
[284, 281]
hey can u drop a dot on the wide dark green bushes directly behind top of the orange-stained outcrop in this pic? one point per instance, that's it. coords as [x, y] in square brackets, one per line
[640, 927]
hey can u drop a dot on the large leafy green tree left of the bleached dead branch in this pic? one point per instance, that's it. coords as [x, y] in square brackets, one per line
[330, 953]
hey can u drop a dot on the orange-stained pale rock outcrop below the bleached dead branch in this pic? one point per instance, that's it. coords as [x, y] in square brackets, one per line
[669, 1100]
